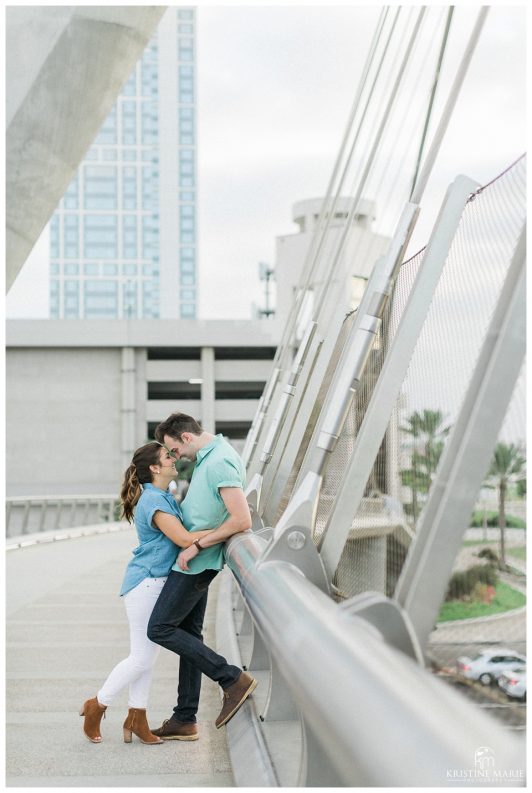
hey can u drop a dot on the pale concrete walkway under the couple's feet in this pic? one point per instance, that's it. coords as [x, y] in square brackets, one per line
[66, 628]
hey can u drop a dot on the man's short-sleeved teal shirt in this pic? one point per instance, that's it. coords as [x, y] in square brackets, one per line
[217, 465]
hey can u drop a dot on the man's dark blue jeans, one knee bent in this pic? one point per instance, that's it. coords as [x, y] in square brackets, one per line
[177, 623]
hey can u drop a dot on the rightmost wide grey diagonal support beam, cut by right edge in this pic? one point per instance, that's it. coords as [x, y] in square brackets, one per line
[465, 460]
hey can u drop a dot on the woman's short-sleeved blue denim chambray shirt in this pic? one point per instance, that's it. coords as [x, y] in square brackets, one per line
[156, 553]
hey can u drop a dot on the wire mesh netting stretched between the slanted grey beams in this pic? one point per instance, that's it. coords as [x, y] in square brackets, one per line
[484, 604]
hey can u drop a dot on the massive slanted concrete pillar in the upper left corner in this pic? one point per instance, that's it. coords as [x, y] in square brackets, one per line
[65, 67]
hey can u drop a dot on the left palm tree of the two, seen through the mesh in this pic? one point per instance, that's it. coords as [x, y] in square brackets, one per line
[428, 429]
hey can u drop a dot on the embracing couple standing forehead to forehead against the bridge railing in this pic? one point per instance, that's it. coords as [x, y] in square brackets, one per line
[165, 587]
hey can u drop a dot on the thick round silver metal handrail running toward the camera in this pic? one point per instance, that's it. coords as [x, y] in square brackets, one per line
[368, 702]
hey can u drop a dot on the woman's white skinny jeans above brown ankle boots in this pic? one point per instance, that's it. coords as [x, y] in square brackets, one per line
[136, 670]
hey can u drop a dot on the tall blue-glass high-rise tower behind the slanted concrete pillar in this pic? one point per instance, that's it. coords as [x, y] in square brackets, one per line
[123, 238]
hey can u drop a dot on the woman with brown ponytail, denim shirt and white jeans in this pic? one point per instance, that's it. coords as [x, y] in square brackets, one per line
[160, 530]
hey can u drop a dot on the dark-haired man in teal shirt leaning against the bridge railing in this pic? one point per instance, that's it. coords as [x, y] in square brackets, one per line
[215, 498]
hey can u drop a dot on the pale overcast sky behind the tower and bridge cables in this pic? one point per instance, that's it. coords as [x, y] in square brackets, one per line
[275, 87]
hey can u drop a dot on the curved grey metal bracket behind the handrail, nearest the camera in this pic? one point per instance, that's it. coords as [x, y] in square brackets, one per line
[389, 618]
